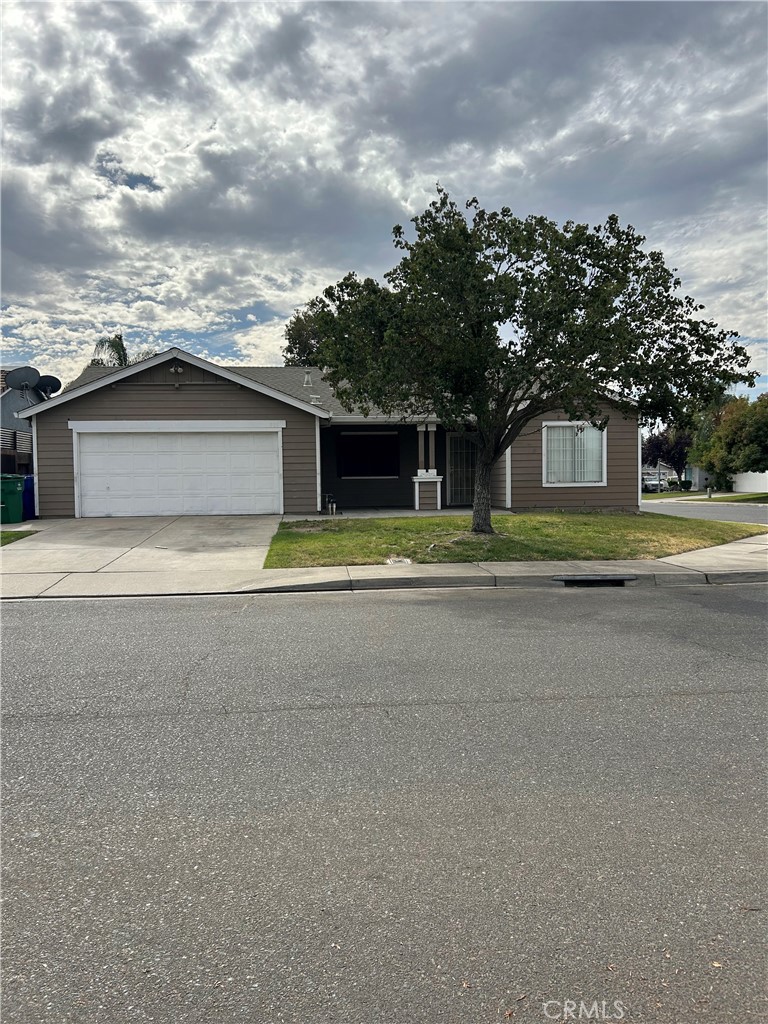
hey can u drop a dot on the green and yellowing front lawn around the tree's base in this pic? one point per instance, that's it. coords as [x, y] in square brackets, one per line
[529, 537]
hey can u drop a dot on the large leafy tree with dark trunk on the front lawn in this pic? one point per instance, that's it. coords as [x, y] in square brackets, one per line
[490, 321]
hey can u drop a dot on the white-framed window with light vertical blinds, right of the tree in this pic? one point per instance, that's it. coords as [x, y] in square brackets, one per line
[574, 455]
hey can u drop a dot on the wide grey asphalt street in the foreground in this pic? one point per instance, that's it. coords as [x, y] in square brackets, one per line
[457, 807]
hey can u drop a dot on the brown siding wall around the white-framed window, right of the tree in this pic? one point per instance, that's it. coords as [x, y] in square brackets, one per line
[621, 492]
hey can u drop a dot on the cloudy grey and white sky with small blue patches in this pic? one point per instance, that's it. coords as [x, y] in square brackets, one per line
[190, 174]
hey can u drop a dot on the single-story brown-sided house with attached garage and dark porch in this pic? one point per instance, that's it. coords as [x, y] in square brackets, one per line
[180, 436]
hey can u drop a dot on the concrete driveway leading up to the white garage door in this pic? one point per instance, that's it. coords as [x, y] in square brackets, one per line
[203, 551]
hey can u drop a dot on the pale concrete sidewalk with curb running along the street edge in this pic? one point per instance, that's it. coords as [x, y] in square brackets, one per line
[742, 562]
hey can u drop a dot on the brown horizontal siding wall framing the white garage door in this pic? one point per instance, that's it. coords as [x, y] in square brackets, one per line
[152, 396]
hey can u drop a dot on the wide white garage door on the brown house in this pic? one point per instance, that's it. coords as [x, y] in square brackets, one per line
[217, 474]
